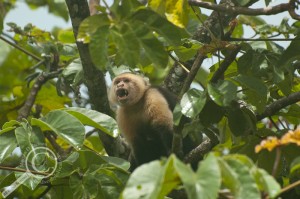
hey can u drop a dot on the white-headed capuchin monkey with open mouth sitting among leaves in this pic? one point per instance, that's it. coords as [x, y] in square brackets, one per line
[144, 117]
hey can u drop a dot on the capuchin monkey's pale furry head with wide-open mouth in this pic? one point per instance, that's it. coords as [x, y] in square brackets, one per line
[127, 89]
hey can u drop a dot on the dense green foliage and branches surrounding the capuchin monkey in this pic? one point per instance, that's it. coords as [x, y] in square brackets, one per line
[58, 136]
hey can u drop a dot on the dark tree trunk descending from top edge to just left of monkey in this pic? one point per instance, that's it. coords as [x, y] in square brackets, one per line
[94, 78]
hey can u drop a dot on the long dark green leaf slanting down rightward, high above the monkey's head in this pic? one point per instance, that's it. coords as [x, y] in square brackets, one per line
[171, 33]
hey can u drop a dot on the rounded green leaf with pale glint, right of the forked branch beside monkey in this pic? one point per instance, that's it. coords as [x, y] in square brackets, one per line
[222, 93]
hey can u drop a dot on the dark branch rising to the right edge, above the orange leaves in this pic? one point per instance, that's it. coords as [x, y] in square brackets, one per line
[273, 108]
